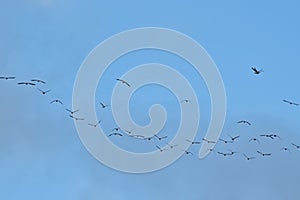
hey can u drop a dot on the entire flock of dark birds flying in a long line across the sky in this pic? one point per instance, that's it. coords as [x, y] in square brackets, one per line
[119, 132]
